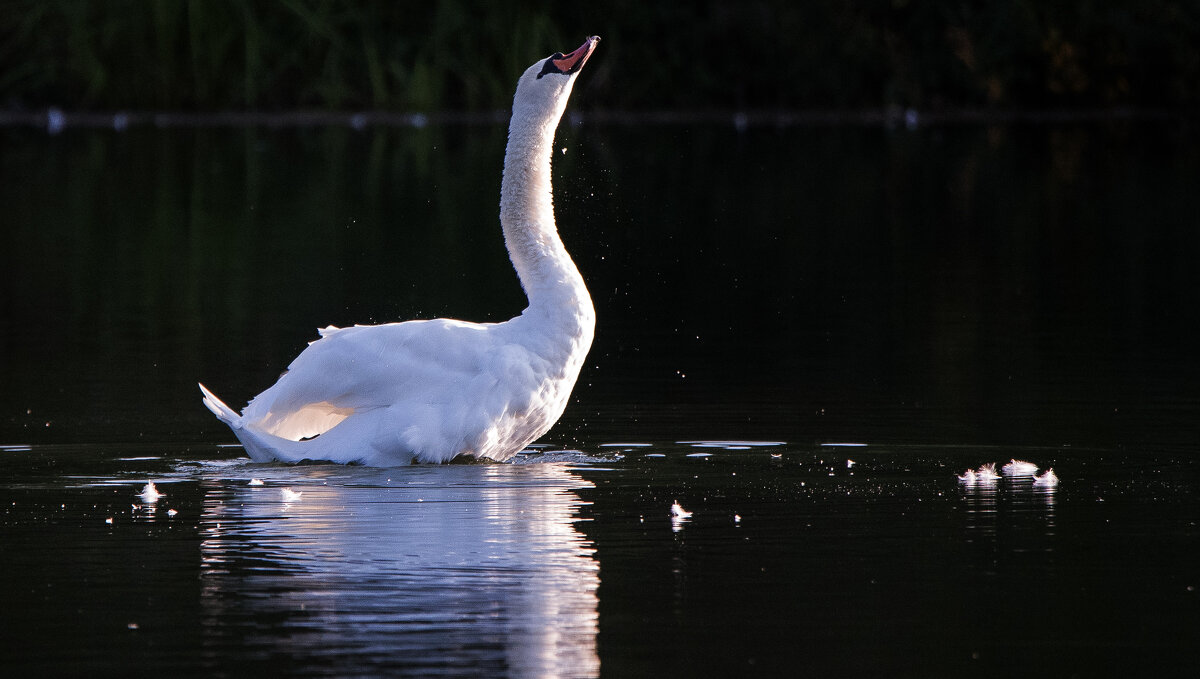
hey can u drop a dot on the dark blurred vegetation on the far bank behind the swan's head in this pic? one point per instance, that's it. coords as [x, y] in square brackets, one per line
[717, 55]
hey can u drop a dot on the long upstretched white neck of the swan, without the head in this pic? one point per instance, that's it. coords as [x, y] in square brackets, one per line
[548, 274]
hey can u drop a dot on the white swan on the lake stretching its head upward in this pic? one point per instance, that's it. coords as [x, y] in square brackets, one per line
[435, 390]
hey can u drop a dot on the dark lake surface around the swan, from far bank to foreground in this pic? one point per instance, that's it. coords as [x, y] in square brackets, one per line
[941, 298]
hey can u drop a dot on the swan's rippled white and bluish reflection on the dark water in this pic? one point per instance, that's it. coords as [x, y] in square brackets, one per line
[476, 570]
